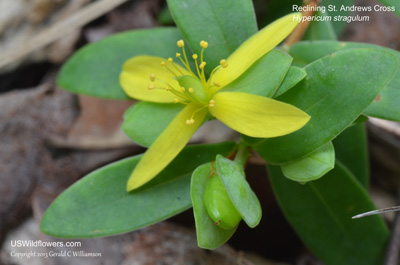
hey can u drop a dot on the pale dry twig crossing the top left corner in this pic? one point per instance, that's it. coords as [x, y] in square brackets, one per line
[59, 30]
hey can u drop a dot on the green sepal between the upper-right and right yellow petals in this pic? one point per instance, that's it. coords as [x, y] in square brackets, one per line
[264, 76]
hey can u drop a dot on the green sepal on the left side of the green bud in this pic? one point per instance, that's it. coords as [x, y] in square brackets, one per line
[209, 236]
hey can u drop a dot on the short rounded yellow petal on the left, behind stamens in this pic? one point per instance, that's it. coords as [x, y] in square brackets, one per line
[135, 78]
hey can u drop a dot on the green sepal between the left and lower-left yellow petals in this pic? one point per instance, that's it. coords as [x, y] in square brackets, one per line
[145, 121]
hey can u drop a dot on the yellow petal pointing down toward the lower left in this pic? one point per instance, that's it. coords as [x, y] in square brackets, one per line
[167, 146]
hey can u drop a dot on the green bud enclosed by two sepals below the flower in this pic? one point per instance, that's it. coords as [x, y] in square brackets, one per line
[221, 197]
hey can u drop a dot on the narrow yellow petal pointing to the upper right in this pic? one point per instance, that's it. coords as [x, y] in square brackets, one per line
[255, 47]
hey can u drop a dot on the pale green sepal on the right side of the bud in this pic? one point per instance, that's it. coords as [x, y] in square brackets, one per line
[239, 191]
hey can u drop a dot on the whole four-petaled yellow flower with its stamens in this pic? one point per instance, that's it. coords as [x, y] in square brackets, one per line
[155, 79]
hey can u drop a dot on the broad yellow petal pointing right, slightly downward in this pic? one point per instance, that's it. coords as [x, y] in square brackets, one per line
[257, 116]
